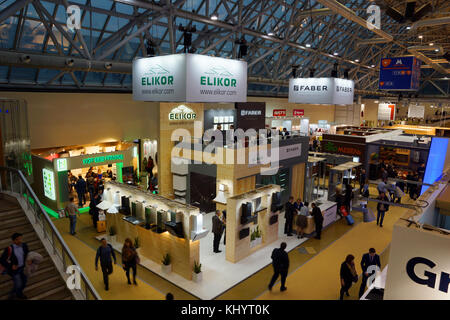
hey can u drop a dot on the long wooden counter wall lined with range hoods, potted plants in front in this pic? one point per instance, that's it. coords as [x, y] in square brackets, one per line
[162, 226]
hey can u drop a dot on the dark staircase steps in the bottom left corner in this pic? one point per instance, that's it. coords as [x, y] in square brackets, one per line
[46, 283]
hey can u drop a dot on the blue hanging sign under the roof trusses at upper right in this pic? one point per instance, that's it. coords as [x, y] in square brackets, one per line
[400, 73]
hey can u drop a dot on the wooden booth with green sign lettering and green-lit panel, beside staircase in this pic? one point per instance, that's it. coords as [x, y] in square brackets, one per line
[52, 165]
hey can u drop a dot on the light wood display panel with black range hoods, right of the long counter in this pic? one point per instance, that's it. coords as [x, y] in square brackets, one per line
[240, 230]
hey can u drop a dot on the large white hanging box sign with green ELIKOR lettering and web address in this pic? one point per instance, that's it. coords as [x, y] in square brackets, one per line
[189, 78]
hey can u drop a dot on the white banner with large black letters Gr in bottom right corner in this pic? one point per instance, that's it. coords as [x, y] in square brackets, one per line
[419, 265]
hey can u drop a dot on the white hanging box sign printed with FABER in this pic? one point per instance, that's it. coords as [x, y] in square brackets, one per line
[321, 91]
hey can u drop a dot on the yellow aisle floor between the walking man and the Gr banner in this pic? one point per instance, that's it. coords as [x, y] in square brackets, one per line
[318, 279]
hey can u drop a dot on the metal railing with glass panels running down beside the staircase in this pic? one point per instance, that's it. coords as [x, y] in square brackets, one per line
[13, 180]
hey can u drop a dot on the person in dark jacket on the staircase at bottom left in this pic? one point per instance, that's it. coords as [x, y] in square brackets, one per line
[13, 259]
